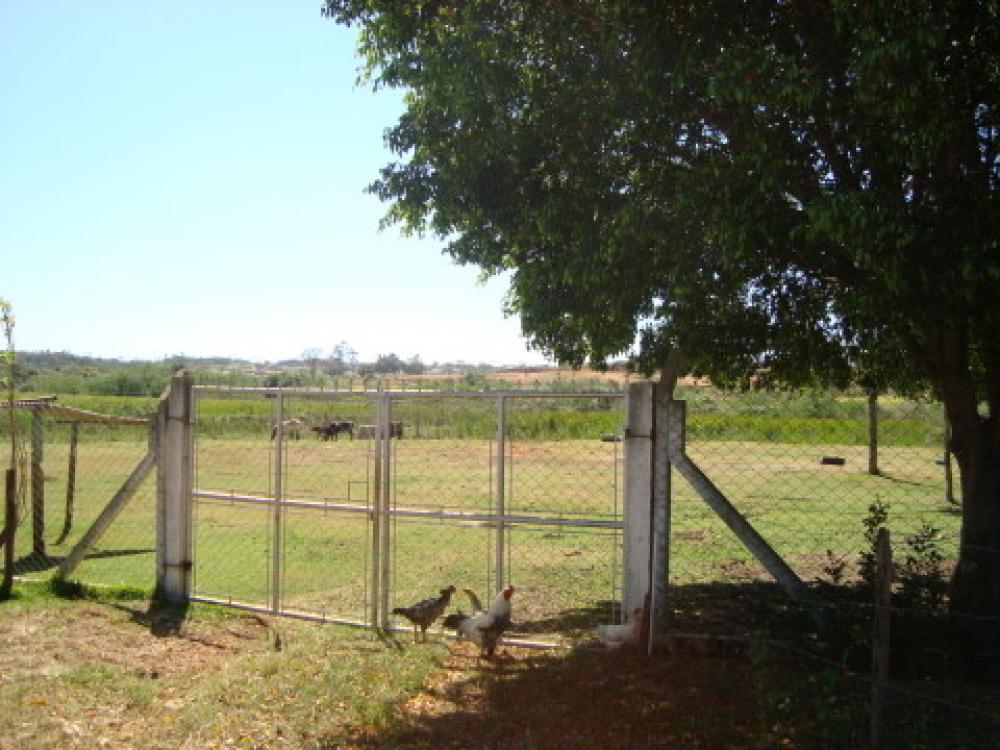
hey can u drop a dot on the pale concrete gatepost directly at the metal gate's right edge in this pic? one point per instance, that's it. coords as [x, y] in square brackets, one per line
[638, 495]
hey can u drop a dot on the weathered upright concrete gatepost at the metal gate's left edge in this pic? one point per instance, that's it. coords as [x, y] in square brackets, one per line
[174, 488]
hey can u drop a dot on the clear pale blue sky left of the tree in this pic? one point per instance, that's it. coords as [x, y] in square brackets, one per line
[188, 177]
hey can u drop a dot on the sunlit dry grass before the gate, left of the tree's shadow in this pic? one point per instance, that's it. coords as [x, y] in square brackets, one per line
[90, 674]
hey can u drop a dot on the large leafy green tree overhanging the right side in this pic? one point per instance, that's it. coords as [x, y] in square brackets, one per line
[771, 182]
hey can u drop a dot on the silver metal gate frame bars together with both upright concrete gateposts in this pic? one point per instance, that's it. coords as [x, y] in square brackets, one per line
[176, 492]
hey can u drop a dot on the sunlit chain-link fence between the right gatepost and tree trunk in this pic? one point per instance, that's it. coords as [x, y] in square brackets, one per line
[804, 470]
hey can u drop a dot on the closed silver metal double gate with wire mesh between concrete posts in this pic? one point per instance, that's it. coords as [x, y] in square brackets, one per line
[423, 489]
